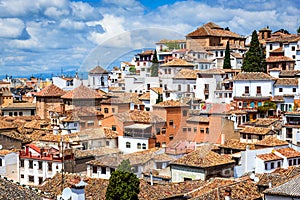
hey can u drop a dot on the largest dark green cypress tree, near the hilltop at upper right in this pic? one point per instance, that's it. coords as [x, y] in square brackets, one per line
[254, 60]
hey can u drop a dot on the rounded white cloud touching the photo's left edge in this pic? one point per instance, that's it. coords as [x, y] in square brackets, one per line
[11, 27]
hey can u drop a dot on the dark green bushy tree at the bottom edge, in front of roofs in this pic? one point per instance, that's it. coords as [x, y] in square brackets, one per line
[123, 184]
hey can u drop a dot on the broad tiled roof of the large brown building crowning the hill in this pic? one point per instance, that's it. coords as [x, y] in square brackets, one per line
[212, 29]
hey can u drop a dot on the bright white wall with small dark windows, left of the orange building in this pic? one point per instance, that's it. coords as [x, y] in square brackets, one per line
[131, 144]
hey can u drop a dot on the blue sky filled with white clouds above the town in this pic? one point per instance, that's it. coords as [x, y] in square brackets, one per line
[49, 35]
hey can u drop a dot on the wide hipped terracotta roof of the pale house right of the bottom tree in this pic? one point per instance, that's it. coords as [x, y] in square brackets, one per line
[203, 158]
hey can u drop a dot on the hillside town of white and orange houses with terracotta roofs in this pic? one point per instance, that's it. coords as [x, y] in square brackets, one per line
[189, 127]
